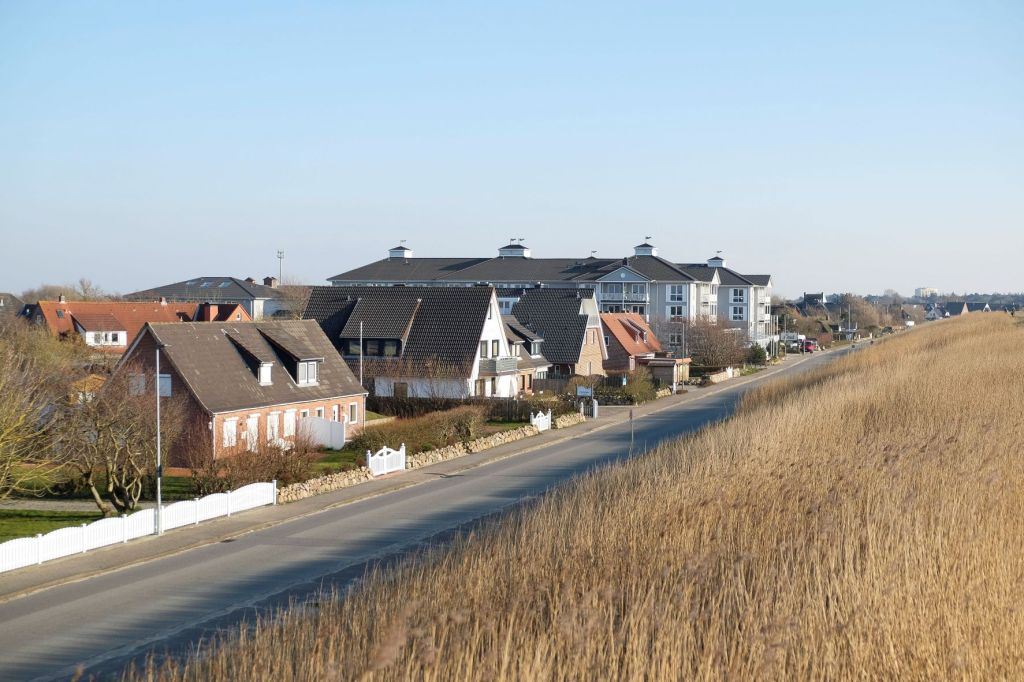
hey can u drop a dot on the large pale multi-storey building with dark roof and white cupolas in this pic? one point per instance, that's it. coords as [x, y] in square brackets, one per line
[665, 293]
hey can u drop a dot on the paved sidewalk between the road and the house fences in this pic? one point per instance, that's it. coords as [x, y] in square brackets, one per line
[72, 569]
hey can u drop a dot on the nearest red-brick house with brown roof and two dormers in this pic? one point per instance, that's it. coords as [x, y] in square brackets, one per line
[249, 382]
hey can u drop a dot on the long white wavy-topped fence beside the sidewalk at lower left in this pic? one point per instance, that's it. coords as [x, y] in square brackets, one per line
[80, 539]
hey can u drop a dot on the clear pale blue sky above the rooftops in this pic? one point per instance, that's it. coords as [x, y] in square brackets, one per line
[838, 146]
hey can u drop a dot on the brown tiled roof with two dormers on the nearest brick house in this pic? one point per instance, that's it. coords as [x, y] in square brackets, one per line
[223, 380]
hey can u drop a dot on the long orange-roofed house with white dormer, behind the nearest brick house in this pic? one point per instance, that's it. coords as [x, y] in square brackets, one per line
[113, 326]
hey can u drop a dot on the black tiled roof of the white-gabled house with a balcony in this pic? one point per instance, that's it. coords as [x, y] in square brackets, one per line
[445, 324]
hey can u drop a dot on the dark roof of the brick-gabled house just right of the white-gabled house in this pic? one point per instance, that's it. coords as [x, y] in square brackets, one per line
[554, 314]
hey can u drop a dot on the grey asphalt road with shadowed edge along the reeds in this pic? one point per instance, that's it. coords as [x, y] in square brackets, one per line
[169, 605]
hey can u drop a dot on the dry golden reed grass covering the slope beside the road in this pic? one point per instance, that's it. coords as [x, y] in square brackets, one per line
[862, 522]
